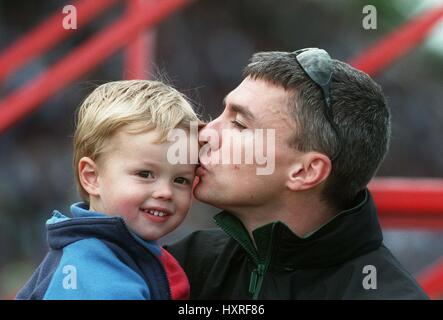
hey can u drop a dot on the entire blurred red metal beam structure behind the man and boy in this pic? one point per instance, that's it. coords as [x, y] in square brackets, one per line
[402, 203]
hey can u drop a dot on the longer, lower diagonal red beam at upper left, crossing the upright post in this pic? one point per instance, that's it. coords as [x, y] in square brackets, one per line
[23, 101]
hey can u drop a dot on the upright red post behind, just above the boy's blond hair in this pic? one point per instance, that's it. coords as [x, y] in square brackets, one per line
[139, 53]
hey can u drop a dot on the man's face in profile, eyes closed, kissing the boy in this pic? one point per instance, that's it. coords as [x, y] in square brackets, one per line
[254, 104]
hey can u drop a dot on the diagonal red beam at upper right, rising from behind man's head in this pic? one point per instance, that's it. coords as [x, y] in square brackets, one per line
[397, 43]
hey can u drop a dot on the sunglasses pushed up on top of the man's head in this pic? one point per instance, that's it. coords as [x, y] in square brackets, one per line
[317, 64]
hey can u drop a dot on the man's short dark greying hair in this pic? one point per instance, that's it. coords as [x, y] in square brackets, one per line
[359, 110]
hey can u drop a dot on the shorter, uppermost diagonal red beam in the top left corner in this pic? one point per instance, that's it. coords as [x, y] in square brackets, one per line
[47, 34]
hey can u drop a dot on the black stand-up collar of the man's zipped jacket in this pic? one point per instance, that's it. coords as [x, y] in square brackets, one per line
[351, 233]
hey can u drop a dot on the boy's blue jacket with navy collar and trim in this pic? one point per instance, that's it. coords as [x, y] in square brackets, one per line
[95, 256]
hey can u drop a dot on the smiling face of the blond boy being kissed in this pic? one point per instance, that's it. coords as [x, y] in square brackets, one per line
[136, 181]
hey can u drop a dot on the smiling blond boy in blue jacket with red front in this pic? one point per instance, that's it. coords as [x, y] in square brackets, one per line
[132, 196]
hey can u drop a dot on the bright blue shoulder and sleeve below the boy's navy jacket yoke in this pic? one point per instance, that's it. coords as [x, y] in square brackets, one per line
[85, 269]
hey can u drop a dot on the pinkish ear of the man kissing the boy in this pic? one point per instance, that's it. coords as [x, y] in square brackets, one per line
[311, 169]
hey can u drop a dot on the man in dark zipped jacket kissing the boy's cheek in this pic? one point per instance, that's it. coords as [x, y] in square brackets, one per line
[309, 230]
